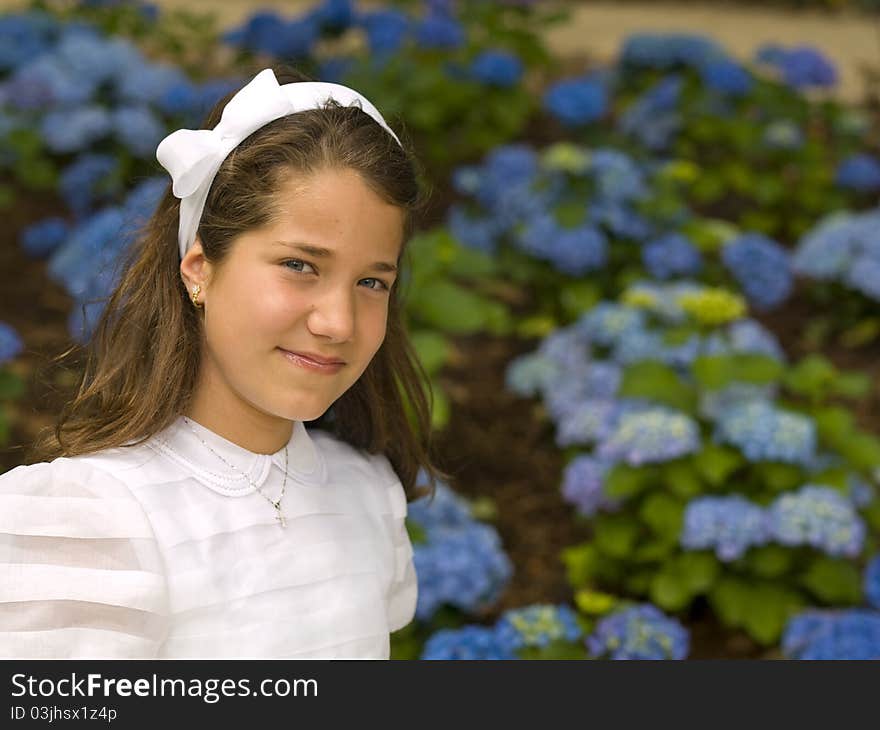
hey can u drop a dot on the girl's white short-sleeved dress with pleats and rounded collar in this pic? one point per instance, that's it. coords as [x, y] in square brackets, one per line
[162, 551]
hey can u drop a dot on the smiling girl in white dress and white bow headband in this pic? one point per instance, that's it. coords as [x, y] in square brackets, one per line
[179, 507]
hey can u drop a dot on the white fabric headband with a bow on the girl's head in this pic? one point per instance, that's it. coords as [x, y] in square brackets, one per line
[192, 157]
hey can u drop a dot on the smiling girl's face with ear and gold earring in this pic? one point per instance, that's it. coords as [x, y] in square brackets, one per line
[271, 295]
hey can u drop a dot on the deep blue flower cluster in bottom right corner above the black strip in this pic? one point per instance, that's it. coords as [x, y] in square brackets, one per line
[852, 634]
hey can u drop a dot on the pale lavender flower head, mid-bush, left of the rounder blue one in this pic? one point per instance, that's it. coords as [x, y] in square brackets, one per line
[651, 435]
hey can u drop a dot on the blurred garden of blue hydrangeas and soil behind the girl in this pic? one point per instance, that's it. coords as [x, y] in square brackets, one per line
[645, 292]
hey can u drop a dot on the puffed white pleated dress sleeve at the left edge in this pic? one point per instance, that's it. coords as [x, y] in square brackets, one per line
[81, 574]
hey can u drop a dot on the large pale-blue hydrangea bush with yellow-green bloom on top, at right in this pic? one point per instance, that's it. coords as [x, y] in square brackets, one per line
[706, 464]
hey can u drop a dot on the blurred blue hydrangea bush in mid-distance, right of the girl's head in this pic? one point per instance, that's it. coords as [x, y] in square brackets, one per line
[585, 210]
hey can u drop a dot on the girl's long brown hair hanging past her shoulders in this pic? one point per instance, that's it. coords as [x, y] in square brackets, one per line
[142, 361]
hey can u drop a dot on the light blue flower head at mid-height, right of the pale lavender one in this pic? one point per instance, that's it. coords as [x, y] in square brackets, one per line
[764, 433]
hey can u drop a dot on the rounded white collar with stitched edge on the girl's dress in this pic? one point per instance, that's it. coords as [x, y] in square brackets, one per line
[181, 444]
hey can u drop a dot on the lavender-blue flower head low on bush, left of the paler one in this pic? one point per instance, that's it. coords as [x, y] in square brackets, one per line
[727, 525]
